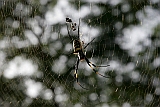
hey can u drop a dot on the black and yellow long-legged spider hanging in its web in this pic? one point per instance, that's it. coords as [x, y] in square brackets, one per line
[78, 49]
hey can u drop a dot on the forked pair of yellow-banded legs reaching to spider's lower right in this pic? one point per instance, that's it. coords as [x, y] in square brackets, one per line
[91, 66]
